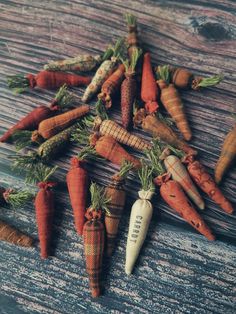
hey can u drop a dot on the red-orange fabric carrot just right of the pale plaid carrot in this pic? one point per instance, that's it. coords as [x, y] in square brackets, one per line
[203, 179]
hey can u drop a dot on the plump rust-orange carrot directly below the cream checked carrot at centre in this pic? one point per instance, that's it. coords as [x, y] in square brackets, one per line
[108, 148]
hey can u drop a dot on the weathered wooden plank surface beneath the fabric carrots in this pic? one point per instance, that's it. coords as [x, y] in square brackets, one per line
[178, 270]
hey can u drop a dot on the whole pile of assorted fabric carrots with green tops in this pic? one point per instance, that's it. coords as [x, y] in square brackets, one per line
[169, 163]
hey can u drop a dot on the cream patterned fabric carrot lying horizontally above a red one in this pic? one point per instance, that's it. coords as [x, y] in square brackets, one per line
[81, 63]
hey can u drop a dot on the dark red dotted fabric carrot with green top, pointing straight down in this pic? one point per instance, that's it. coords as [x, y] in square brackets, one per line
[129, 88]
